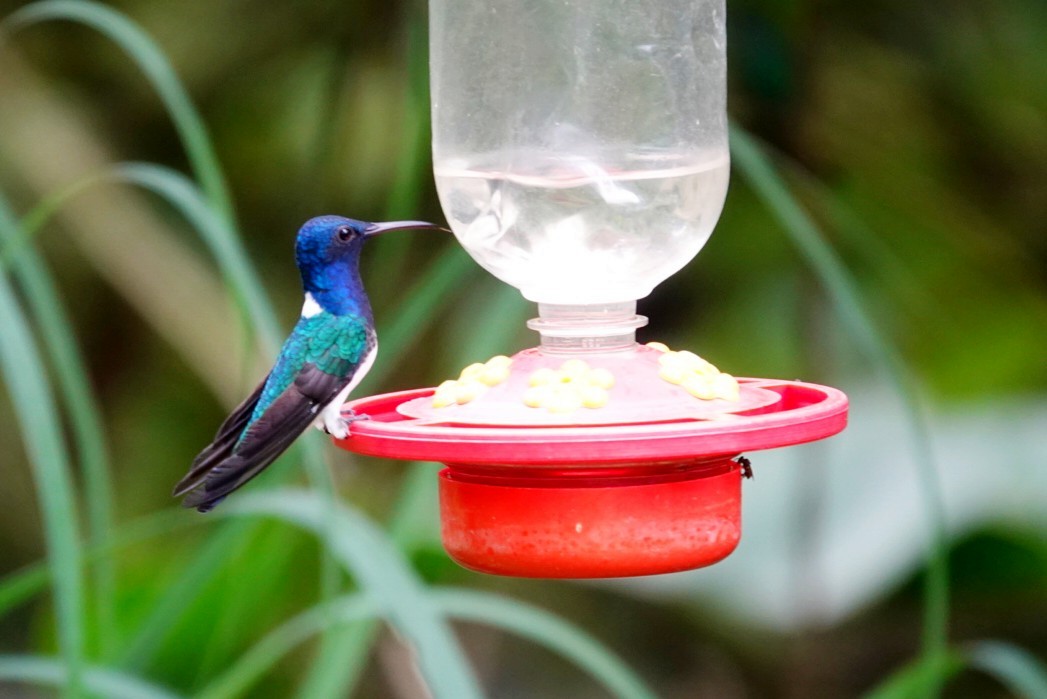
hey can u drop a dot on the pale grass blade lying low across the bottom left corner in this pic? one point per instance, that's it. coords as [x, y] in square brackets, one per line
[101, 682]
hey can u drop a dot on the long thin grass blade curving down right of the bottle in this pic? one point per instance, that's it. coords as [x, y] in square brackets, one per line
[752, 162]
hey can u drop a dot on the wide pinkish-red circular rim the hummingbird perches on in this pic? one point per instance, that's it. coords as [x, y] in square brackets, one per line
[806, 413]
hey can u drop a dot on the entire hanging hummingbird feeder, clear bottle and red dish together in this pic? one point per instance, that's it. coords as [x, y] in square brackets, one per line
[581, 154]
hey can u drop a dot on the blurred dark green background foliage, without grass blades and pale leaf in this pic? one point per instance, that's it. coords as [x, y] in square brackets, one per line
[916, 136]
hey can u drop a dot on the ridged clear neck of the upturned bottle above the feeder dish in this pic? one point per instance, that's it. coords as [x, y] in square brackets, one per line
[586, 329]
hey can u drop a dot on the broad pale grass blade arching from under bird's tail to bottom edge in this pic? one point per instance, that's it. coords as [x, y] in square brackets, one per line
[383, 573]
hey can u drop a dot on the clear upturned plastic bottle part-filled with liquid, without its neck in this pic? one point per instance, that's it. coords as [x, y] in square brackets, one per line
[581, 146]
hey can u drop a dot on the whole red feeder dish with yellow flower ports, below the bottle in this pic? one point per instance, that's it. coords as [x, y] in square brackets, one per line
[622, 464]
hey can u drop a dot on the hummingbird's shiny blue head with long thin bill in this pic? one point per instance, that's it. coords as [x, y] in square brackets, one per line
[328, 255]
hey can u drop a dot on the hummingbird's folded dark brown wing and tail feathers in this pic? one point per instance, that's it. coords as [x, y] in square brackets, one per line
[269, 437]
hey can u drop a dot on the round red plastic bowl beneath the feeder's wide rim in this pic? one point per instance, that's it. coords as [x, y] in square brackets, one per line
[539, 524]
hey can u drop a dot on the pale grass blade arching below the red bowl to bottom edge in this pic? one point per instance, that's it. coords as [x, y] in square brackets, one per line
[548, 630]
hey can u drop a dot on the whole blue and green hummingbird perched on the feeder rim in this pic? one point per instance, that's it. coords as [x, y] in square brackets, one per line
[329, 352]
